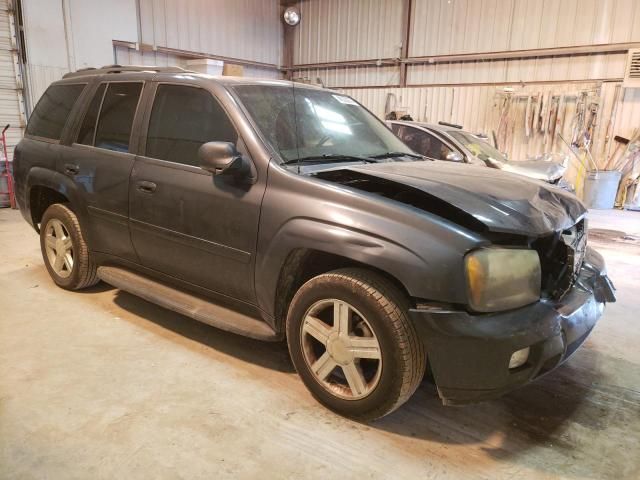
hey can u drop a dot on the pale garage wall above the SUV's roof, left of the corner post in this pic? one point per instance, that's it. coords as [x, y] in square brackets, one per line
[67, 35]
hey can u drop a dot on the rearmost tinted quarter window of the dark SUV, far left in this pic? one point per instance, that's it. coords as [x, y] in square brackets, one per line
[53, 109]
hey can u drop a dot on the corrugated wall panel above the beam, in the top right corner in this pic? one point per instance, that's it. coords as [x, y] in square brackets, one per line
[470, 26]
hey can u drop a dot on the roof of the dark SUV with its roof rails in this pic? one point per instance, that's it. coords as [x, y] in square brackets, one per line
[145, 72]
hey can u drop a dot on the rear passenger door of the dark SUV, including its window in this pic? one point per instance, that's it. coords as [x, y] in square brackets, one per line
[100, 162]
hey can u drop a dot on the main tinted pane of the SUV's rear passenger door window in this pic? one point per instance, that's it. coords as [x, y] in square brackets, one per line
[116, 116]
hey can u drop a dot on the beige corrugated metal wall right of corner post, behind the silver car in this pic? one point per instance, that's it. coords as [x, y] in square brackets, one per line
[461, 54]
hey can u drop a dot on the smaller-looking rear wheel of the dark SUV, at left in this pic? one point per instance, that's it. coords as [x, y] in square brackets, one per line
[59, 222]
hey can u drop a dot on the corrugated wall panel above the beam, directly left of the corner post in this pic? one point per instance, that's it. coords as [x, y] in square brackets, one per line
[245, 29]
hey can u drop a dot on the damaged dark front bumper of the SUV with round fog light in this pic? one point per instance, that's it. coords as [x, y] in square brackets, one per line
[469, 354]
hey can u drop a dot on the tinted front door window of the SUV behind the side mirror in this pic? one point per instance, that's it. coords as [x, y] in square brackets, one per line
[182, 119]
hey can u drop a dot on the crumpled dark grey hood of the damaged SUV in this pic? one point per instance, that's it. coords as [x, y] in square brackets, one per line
[501, 201]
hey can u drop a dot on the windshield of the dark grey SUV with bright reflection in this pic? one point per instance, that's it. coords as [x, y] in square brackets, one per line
[305, 123]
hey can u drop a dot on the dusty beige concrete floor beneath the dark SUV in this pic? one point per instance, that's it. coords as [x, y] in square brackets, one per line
[101, 384]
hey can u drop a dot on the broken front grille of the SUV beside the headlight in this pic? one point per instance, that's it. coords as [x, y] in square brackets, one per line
[561, 255]
